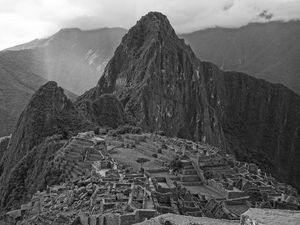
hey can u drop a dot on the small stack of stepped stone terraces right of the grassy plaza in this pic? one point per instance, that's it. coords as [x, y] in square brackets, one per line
[188, 175]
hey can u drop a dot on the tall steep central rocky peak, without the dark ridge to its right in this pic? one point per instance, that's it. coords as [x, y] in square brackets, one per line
[156, 77]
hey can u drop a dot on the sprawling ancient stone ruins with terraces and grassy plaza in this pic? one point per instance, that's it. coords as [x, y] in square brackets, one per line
[105, 182]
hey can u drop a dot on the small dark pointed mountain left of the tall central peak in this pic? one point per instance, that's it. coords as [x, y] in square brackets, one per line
[49, 112]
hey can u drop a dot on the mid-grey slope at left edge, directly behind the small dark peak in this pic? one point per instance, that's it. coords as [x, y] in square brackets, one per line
[18, 83]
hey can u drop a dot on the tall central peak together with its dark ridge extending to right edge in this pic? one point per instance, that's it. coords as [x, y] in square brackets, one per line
[163, 86]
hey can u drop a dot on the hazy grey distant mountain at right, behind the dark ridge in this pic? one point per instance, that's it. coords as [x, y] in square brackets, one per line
[265, 50]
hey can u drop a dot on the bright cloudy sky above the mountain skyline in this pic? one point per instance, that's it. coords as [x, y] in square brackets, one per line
[24, 20]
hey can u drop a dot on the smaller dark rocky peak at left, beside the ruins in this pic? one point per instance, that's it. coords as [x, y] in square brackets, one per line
[48, 112]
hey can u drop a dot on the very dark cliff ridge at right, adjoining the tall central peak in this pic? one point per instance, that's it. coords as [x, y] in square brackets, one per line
[260, 120]
